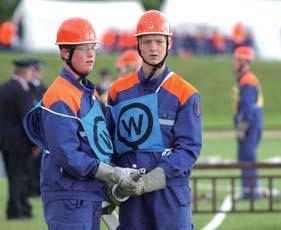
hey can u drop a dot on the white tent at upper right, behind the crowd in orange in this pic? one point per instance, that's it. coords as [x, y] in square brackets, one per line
[261, 17]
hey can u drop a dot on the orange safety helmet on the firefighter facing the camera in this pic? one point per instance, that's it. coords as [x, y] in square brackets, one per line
[153, 22]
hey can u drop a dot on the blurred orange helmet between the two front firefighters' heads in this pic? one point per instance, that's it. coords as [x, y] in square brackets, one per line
[129, 57]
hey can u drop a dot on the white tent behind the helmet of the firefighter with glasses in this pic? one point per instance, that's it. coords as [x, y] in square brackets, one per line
[38, 20]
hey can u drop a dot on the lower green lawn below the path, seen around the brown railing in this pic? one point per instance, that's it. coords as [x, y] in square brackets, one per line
[224, 148]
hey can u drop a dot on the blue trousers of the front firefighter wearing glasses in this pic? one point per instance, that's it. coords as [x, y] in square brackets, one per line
[72, 214]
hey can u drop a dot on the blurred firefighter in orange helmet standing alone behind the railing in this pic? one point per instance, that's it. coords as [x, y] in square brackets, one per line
[248, 119]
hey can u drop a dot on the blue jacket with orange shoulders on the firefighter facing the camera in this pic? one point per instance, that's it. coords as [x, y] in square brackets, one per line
[179, 107]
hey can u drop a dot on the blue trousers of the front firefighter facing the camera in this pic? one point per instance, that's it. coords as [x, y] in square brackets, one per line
[169, 208]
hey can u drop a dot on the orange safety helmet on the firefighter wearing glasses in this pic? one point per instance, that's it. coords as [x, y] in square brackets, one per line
[74, 31]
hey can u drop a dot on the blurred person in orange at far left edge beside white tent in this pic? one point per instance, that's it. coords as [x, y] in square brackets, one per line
[8, 34]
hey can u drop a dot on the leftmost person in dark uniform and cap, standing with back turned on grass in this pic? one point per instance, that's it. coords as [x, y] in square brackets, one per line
[15, 101]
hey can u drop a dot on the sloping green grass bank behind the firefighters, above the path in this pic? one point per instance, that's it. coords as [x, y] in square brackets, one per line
[214, 78]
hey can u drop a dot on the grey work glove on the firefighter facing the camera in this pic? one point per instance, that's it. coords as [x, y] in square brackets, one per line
[153, 181]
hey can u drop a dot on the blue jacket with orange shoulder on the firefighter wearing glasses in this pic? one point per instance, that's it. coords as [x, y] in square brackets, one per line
[67, 171]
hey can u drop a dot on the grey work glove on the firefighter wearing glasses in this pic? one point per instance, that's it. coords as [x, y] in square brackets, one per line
[115, 175]
